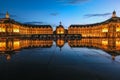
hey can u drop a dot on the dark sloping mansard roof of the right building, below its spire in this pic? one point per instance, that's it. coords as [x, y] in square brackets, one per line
[113, 19]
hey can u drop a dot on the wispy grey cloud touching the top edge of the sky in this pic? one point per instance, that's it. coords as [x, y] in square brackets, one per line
[72, 2]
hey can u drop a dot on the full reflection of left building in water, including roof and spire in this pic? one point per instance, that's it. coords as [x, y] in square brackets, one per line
[9, 46]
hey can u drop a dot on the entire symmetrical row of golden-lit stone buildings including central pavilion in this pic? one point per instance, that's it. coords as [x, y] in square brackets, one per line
[109, 28]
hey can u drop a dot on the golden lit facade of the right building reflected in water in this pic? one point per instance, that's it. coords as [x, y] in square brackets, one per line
[107, 44]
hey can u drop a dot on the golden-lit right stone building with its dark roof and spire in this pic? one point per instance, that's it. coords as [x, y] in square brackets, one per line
[108, 28]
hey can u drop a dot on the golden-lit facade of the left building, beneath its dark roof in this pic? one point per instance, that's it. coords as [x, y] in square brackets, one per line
[25, 29]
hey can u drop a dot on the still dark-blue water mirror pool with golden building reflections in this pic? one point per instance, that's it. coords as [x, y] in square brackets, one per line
[84, 59]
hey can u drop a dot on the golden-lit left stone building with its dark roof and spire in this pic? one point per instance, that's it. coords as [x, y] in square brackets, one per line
[9, 27]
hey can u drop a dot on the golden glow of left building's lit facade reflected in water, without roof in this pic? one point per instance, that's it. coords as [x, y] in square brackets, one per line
[18, 44]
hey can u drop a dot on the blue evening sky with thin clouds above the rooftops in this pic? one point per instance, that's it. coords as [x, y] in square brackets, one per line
[53, 11]
